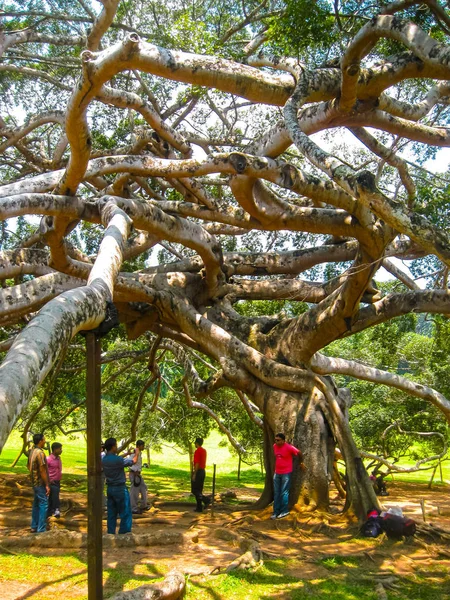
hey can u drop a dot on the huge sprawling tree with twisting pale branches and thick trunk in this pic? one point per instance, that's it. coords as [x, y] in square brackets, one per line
[111, 124]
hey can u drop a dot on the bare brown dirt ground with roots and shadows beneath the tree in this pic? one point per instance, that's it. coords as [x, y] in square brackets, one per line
[304, 539]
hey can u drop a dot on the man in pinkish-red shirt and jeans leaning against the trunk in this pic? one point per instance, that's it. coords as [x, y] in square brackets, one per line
[284, 465]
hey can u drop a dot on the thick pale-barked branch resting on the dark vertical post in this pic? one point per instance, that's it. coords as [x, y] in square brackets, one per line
[36, 348]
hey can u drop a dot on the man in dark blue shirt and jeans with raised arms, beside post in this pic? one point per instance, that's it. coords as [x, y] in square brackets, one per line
[118, 498]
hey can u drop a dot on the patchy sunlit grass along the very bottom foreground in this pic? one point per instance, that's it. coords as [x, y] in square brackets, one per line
[346, 580]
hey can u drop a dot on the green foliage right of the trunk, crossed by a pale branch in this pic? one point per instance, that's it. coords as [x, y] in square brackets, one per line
[397, 347]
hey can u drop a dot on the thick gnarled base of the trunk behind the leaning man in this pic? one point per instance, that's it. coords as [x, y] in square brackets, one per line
[315, 422]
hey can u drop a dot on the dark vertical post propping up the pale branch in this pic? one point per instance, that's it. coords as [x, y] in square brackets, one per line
[93, 417]
